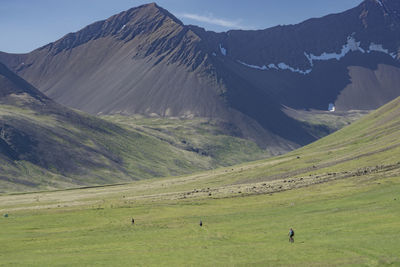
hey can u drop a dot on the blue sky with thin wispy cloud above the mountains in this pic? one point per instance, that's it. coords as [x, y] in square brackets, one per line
[28, 24]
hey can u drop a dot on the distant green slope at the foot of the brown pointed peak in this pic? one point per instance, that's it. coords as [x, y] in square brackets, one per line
[205, 137]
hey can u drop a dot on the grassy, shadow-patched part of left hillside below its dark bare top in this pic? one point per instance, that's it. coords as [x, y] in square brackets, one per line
[62, 148]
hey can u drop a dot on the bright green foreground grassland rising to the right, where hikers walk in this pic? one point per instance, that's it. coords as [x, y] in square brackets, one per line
[340, 194]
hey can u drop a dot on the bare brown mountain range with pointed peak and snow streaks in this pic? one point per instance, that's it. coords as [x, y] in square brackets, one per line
[146, 61]
